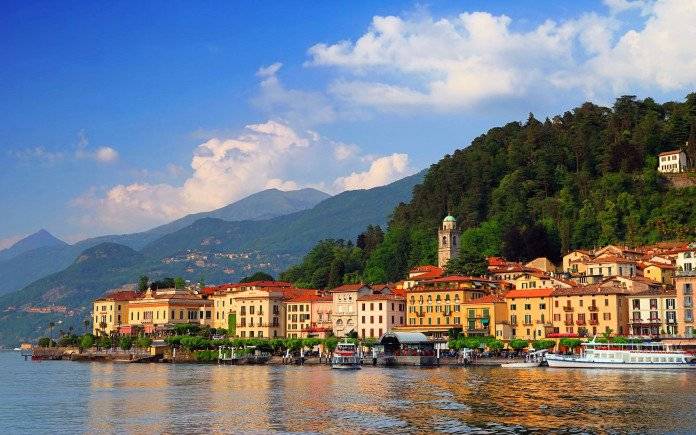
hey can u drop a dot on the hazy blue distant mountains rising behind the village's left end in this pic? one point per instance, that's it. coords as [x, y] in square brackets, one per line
[276, 229]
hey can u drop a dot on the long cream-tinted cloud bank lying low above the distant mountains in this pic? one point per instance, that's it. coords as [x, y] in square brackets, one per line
[263, 156]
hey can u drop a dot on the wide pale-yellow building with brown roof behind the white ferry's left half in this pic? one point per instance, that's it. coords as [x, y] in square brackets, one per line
[590, 310]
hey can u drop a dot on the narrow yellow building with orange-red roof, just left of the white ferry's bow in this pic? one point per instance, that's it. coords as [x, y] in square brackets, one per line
[530, 313]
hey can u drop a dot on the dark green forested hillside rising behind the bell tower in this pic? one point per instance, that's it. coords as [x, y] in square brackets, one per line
[584, 178]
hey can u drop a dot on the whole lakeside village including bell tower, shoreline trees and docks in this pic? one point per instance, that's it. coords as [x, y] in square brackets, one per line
[615, 294]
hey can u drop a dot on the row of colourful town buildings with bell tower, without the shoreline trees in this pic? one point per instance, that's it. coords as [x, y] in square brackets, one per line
[644, 291]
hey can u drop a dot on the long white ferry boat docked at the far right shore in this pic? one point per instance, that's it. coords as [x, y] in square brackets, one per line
[625, 356]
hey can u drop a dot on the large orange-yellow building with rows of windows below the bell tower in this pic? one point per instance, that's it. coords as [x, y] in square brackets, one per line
[437, 305]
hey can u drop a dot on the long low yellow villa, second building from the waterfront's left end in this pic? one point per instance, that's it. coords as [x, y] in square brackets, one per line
[160, 309]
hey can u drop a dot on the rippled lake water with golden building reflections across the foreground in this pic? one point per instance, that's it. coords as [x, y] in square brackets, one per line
[61, 396]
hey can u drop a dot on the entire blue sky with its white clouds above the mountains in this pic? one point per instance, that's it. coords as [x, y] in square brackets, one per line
[120, 116]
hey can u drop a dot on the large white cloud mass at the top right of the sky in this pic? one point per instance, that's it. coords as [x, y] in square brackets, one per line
[453, 63]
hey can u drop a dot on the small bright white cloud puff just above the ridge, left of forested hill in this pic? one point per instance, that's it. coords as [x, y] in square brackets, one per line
[383, 170]
